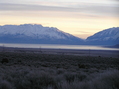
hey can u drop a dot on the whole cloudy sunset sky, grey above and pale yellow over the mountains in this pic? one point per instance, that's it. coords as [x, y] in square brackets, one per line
[81, 18]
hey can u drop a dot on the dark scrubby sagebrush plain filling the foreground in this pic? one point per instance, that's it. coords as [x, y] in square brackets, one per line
[48, 71]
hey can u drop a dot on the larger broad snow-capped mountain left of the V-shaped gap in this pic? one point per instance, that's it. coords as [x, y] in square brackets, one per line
[28, 33]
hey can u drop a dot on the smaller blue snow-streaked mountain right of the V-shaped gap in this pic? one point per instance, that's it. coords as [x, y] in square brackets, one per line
[106, 37]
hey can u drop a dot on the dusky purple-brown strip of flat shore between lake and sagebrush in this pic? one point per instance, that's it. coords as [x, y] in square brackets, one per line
[76, 52]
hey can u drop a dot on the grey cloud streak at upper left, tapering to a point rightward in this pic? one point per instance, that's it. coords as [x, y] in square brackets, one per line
[23, 7]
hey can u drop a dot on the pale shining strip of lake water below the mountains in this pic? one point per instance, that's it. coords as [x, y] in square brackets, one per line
[52, 46]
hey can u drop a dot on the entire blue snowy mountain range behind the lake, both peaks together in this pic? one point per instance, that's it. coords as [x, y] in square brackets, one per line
[37, 34]
